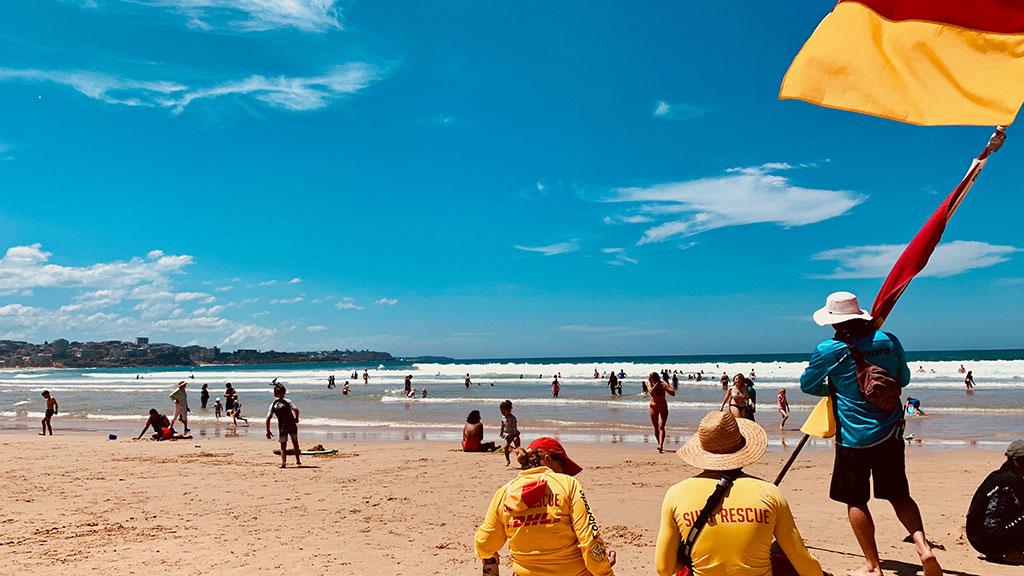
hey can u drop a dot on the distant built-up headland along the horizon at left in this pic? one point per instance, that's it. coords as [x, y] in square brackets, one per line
[142, 354]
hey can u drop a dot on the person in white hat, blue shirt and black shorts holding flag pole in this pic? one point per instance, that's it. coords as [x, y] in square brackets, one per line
[869, 441]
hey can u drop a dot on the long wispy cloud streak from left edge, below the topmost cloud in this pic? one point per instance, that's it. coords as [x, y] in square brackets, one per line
[287, 93]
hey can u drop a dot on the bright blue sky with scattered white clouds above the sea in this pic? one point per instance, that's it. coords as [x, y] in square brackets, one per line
[474, 180]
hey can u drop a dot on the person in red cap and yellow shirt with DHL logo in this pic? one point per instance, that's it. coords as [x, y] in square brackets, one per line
[546, 519]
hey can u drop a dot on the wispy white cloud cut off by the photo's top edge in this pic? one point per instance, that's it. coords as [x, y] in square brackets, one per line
[250, 16]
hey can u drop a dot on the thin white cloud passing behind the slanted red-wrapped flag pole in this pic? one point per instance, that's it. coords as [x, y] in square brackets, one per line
[949, 260]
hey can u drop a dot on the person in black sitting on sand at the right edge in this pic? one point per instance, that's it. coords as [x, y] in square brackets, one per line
[996, 519]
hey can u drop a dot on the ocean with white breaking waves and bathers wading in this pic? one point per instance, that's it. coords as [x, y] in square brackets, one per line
[117, 401]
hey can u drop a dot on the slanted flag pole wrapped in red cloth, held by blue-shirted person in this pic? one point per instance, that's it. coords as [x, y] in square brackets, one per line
[887, 299]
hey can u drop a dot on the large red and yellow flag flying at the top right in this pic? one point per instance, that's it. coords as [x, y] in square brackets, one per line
[922, 62]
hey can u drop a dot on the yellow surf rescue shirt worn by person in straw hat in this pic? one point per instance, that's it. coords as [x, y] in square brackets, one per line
[738, 539]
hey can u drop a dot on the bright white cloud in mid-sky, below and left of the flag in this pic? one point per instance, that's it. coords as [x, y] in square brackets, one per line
[743, 196]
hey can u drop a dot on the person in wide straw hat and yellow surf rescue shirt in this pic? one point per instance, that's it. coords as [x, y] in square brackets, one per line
[738, 538]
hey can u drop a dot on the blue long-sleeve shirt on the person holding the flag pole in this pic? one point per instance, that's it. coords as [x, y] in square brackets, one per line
[861, 424]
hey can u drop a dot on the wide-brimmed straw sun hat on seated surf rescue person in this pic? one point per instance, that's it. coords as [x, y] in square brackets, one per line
[723, 443]
